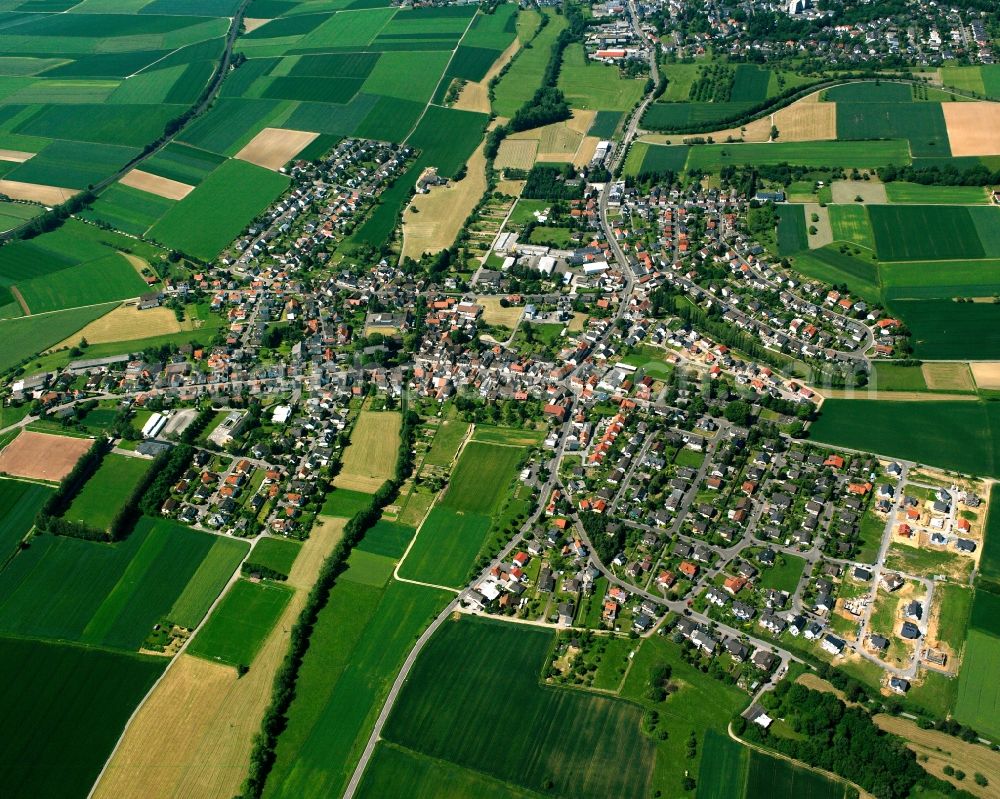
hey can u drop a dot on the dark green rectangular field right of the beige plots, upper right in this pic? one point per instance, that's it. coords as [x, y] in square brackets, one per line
[924, 232]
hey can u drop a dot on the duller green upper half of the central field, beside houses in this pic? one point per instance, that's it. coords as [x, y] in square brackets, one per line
[467, 491]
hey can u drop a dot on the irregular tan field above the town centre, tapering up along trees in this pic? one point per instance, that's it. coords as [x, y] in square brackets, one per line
[433, 220]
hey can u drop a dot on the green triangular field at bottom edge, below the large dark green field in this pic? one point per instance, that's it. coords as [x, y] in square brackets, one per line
[396, 771]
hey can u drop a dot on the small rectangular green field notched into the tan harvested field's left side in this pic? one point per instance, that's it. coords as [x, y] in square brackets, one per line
[240, 623]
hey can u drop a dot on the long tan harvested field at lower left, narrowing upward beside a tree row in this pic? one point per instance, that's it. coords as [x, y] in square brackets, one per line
[194, 734]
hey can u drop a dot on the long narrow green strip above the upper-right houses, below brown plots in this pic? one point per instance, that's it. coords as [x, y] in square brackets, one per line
[874, 154]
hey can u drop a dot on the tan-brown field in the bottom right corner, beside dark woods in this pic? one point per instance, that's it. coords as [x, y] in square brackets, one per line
[942, 749]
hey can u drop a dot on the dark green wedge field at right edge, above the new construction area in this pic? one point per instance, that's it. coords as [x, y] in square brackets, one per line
[952, 435]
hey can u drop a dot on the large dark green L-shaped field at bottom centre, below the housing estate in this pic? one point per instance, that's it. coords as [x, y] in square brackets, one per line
[458, 681]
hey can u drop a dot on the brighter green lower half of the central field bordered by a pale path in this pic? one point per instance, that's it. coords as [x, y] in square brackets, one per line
[446, 547]
